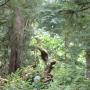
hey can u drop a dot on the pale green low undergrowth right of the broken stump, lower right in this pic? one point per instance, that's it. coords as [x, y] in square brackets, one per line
[68, 78]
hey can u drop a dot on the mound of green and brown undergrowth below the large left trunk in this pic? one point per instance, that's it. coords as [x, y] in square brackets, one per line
[16, 82]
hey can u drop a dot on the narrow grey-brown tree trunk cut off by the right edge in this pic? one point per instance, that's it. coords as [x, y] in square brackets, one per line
[88, 63]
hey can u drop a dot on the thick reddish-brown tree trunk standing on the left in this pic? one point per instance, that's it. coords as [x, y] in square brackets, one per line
[16, 41]
